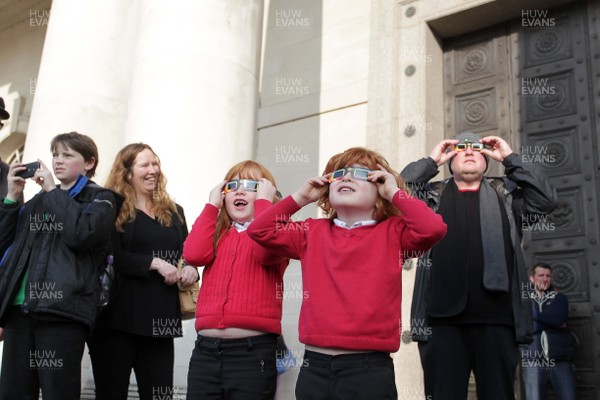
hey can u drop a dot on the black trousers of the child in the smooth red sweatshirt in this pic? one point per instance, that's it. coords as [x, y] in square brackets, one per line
[363, 376]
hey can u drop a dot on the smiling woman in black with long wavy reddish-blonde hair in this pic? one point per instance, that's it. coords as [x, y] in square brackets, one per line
[137, 329]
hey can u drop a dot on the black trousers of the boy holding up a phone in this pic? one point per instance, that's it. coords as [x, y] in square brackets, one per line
[41, 354]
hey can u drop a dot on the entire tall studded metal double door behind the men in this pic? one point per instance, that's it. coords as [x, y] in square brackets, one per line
[534, 86]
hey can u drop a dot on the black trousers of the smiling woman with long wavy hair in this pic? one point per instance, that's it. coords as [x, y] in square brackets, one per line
[114, 354]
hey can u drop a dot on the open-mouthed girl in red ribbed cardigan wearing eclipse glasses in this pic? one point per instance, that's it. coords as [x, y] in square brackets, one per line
[238, 317]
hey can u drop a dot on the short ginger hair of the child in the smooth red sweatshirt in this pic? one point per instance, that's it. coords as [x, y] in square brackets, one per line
[369, 159]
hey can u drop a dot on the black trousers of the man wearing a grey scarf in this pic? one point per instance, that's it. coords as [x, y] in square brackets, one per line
[452, 351]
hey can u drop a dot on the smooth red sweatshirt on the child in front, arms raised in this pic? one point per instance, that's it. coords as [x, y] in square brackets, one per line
[352, 277]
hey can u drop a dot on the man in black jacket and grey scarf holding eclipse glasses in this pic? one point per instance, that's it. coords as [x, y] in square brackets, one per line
[467, 299]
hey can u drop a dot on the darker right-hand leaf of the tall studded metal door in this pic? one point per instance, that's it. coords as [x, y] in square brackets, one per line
[559, 138]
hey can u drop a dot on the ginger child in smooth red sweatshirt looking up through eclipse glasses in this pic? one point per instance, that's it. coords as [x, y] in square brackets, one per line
[351, 271]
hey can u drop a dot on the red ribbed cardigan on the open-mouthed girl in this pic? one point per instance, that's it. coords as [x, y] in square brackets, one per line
[242, 284]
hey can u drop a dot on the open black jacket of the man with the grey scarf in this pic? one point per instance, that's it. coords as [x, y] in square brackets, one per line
[522, 193]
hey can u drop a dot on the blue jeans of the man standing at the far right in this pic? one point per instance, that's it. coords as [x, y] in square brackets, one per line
[538, 374]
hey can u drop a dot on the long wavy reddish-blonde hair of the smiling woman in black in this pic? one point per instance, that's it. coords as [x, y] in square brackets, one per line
[118, 180]
